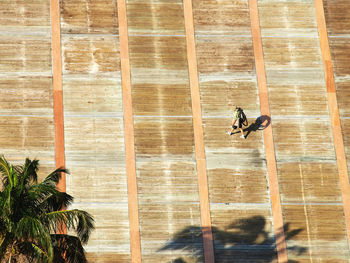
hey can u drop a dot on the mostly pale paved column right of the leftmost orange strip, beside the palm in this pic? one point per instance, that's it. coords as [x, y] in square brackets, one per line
[94, 131]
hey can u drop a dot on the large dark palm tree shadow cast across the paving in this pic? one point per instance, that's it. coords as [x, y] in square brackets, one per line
[244, 240]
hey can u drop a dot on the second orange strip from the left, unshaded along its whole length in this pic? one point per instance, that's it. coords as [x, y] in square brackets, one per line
[135, 243]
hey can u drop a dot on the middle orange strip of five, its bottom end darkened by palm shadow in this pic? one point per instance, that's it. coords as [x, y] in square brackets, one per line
[198, 135]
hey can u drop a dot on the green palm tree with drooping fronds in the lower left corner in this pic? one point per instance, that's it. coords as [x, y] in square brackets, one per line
[32, 213]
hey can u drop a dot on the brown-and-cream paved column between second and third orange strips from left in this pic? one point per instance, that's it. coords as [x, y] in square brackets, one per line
[164, 139]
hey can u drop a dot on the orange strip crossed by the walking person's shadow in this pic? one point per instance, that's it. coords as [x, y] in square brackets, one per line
[268, 137]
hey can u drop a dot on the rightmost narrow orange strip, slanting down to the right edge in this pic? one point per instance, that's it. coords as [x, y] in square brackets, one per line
[334, 112]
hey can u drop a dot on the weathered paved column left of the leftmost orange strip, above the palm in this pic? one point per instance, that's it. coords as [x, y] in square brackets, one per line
[25, 87]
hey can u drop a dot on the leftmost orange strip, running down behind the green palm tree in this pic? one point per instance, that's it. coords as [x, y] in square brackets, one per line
[57, 90]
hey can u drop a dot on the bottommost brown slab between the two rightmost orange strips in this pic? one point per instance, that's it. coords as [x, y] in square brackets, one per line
[322, 236]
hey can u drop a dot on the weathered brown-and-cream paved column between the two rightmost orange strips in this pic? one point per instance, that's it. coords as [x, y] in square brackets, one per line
[303, 135]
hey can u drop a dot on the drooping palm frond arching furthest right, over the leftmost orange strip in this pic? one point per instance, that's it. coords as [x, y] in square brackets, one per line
[80, 221]
